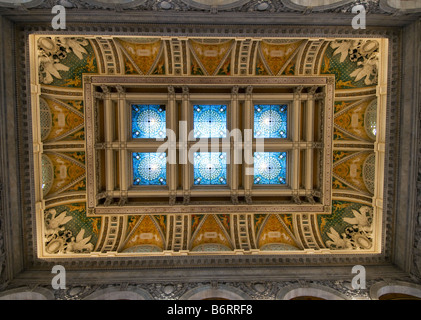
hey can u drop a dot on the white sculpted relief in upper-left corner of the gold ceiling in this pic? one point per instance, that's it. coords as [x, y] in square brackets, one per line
[52, 51]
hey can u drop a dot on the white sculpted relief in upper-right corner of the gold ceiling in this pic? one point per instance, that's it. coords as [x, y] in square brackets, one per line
[365, 53]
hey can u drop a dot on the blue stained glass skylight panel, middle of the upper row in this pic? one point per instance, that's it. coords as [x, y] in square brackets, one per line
[210, 121]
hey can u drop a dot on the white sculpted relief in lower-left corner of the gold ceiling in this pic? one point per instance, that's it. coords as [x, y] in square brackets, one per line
[58, 240]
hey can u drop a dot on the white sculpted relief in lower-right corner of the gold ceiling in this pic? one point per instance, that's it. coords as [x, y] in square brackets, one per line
[357, 236]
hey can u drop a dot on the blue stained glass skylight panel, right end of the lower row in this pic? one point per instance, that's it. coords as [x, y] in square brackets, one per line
[270, 167]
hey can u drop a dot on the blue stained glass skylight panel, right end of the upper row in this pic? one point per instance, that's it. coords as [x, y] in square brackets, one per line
[270, 121]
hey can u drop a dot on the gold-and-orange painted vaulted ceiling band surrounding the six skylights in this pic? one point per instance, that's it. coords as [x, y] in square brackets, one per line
[67, 227]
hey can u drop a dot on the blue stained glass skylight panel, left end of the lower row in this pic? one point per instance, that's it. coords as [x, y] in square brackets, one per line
[149, 168]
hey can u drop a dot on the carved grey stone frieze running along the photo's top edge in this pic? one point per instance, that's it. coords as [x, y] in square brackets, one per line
[244, 6]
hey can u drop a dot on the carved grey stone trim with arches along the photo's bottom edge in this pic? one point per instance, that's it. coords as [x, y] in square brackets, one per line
[249, 289]
